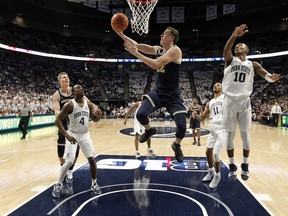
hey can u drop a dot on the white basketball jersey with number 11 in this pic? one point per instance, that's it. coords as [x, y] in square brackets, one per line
[216, 109]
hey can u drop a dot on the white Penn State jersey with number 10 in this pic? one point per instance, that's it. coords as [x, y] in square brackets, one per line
[238, 79]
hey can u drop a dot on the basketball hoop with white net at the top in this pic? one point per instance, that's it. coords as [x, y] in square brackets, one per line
[141, 11]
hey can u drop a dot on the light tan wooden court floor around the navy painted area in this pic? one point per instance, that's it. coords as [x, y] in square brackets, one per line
[30, 166]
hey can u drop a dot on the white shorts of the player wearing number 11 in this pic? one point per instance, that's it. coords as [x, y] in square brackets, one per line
[217, 137]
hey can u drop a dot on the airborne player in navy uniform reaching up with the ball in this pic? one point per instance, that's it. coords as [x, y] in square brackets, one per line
[167, 93]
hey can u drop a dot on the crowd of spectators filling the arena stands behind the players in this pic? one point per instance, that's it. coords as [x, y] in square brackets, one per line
[28, 77]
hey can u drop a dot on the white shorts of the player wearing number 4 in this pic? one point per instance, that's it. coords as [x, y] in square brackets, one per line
[85, 143]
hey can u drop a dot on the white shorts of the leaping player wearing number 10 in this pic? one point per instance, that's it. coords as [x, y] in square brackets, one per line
[237, 112]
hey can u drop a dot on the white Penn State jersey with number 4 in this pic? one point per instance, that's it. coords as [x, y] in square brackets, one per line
[79, 118]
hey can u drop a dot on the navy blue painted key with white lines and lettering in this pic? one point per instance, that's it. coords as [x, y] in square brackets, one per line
[146, 187]
